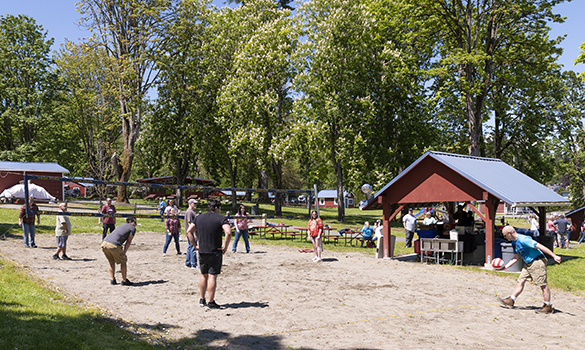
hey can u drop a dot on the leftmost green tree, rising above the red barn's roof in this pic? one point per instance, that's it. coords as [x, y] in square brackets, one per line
[27, 86]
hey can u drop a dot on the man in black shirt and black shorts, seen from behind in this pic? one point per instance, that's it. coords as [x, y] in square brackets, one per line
[207, 238]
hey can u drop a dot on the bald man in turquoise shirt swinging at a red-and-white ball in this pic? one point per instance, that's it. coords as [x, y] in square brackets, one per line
[534, 269]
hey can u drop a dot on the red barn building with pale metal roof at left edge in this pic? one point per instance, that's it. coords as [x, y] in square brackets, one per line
[12, 173]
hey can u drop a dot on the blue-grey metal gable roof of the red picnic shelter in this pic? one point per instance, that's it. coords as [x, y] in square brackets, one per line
[495, 177]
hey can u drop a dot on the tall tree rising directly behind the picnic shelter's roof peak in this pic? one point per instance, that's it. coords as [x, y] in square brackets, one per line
[470, 35]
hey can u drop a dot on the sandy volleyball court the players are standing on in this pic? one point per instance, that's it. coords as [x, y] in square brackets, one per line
[276, 297]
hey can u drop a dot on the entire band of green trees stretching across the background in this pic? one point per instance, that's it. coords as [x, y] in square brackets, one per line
[260, 94]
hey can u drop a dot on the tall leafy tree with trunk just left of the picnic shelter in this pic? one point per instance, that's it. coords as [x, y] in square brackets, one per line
[334, 75]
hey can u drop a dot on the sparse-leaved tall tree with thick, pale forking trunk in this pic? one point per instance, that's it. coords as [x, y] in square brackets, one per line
[132, 33]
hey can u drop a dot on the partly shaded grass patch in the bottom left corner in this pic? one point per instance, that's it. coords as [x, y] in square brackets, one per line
[33, 316]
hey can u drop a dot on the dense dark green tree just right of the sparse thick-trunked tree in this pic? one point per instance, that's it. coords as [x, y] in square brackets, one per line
[183, 95]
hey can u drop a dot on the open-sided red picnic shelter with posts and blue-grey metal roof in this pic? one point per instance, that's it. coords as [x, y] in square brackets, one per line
[438, 177]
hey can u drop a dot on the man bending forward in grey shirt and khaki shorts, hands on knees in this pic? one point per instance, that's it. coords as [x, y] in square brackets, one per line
[115, 253]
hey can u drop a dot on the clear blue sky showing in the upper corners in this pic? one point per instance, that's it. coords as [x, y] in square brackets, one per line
[60, 18]
